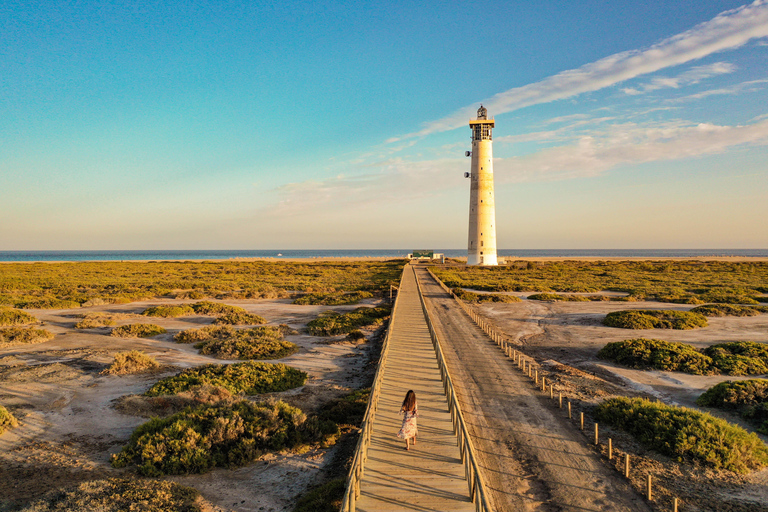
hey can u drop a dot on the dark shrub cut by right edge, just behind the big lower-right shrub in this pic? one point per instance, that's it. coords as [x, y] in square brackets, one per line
[747, 398]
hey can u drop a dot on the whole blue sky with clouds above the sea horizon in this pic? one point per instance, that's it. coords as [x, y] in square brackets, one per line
[269, 125]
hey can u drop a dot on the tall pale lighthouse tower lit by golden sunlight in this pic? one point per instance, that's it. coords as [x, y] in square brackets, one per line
[482, 210]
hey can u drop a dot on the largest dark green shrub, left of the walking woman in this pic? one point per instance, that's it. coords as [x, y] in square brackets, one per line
[197, 440]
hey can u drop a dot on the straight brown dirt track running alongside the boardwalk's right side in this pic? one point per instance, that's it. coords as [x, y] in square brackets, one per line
[533, 459]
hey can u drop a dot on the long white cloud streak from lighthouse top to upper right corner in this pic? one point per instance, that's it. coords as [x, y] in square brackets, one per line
[728, 30]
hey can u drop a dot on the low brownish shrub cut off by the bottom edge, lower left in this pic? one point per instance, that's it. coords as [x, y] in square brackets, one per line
[121, 494]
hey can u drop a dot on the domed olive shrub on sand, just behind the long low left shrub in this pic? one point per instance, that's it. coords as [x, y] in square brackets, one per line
[255, 343]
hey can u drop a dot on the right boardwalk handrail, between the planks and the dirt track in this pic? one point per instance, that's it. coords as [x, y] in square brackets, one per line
[477, 488]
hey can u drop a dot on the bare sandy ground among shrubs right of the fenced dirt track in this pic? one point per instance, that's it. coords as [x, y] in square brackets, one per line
[571, 333]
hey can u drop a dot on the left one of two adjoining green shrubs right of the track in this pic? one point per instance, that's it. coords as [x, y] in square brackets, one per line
[657, 354]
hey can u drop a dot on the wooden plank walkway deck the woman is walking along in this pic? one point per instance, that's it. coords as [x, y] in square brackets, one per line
[430, 476]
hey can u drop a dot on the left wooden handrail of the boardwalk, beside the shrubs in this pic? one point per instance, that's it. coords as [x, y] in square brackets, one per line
[361, 450]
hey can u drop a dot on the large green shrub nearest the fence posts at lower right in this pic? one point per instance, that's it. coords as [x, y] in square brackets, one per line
[685, 434]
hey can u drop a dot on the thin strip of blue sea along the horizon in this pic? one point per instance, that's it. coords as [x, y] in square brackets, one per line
[32, 256]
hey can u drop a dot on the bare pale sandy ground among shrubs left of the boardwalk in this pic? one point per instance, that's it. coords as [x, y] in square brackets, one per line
[70, 428]
